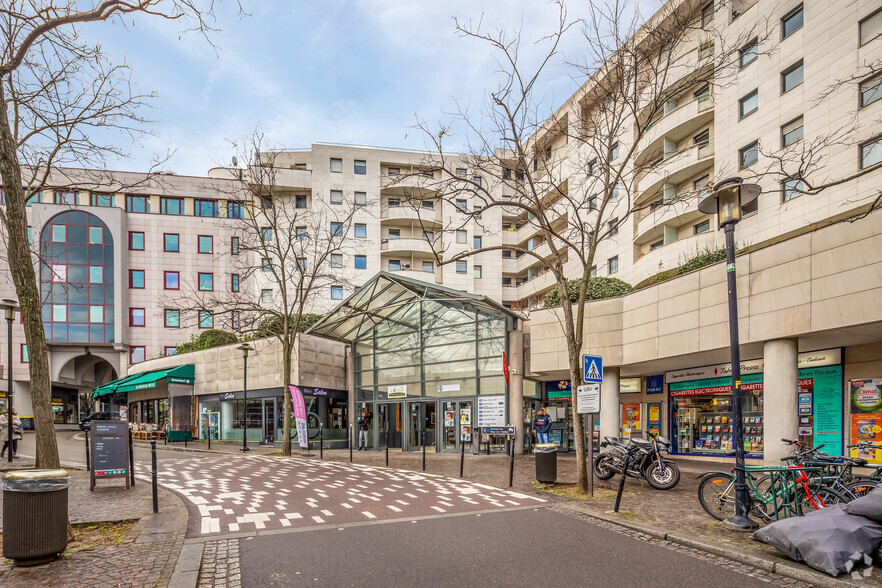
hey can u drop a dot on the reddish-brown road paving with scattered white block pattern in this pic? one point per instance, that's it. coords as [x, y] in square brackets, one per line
[255, 493]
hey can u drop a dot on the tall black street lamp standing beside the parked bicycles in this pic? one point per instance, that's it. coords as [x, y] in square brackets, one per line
[727, 201]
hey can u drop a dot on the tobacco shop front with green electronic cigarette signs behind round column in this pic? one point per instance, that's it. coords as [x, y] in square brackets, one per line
[700, 405]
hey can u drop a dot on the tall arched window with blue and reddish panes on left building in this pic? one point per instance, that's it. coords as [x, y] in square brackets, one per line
[76, 279]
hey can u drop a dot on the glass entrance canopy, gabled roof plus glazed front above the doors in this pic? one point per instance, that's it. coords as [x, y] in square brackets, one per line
[421, 340]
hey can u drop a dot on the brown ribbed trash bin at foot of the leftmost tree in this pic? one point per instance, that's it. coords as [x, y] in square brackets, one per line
[34, 515]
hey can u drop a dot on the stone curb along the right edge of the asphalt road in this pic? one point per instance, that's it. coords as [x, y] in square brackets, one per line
[786, 568]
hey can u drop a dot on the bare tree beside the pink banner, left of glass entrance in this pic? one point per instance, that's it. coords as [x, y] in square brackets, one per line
[291, 252]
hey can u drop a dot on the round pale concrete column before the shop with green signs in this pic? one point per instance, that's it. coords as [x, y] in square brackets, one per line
[780, 406]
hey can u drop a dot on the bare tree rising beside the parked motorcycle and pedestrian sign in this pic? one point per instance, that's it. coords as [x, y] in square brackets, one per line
[575, 175]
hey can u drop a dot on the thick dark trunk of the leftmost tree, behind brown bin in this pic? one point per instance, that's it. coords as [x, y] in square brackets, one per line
[21, 266]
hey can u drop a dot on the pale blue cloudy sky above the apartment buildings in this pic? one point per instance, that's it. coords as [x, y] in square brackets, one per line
[356, 72]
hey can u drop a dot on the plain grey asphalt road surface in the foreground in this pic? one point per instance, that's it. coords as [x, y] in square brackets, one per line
[535, 547]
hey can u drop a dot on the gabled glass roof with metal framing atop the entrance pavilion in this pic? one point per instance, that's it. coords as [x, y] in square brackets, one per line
[385, 304]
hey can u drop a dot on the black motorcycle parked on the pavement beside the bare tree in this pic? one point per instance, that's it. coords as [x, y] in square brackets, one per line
[645, 461]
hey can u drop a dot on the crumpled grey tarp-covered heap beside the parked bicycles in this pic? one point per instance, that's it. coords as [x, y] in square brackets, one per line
[829, 540]
